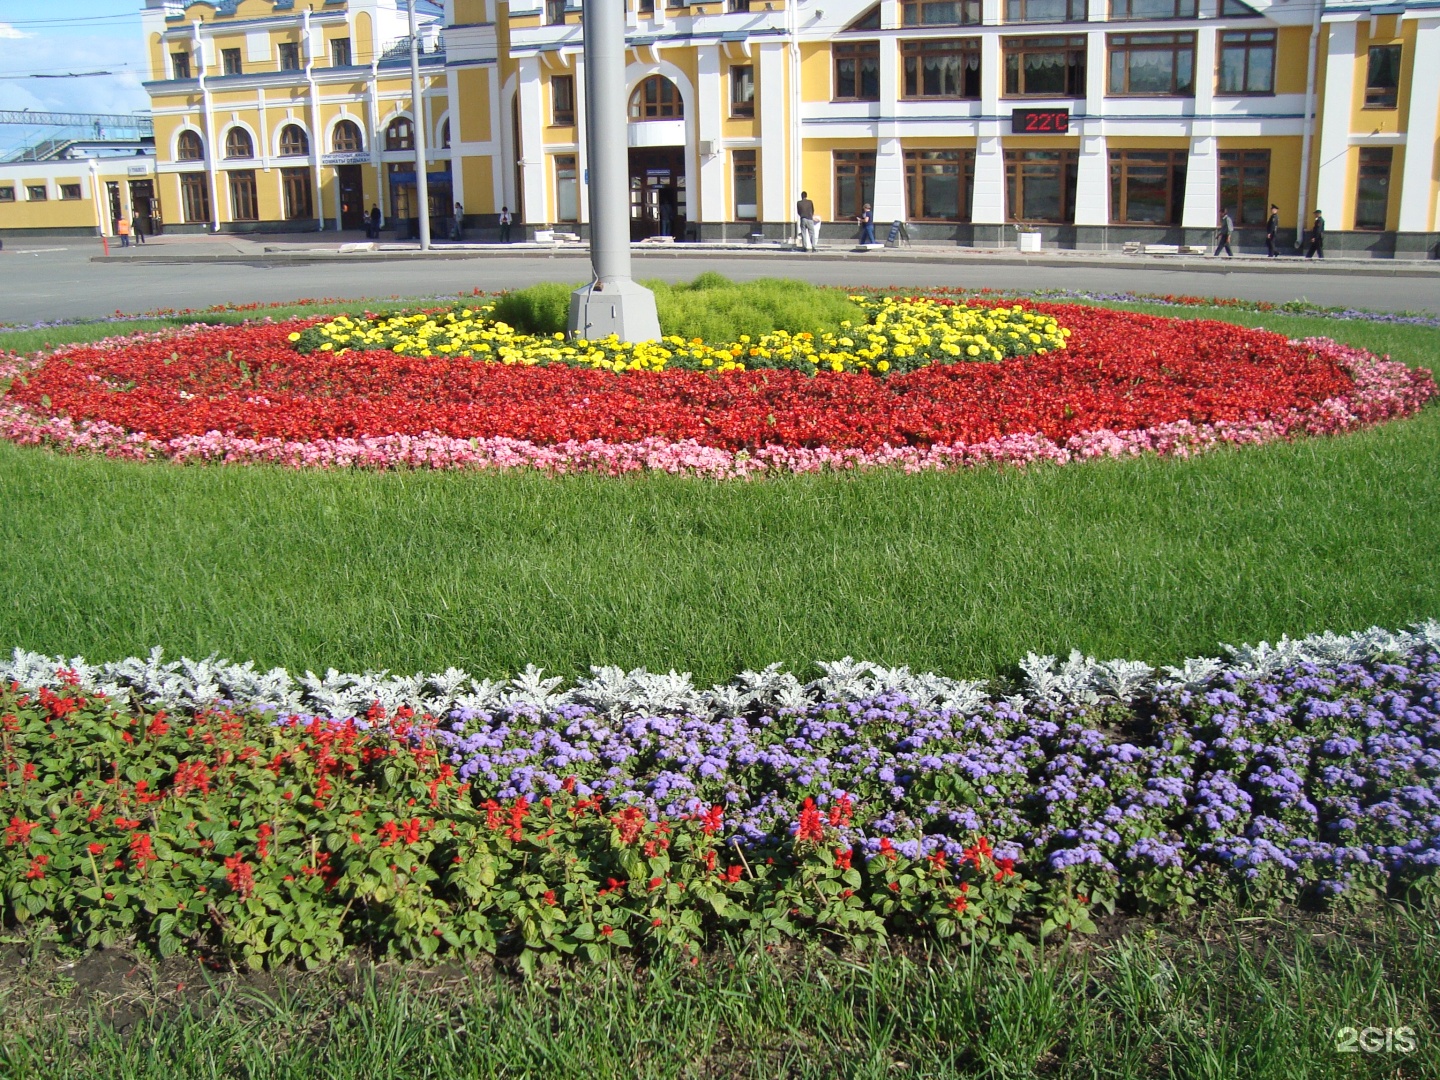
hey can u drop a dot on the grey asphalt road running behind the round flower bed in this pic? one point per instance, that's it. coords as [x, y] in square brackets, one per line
[60, 280]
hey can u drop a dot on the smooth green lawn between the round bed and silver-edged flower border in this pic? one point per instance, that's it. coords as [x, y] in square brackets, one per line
[963, 574]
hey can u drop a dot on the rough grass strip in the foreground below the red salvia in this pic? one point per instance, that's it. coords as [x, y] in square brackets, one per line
[1233, 996]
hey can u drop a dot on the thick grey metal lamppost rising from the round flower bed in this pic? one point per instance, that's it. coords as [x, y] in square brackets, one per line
[614, 303]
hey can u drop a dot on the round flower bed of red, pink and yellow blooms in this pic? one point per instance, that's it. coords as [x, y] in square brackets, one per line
[1125, 385]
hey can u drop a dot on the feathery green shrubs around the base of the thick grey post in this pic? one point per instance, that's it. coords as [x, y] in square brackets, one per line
[711, 307]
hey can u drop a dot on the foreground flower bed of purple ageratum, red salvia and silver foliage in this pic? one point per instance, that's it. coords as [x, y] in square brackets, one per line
[636, 810]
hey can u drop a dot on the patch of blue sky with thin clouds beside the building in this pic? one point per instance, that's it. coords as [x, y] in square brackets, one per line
[44, 42]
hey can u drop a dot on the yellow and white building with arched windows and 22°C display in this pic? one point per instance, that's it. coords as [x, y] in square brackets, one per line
[1098, 122]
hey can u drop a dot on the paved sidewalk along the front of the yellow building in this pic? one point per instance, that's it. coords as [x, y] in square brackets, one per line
[330, 248]
